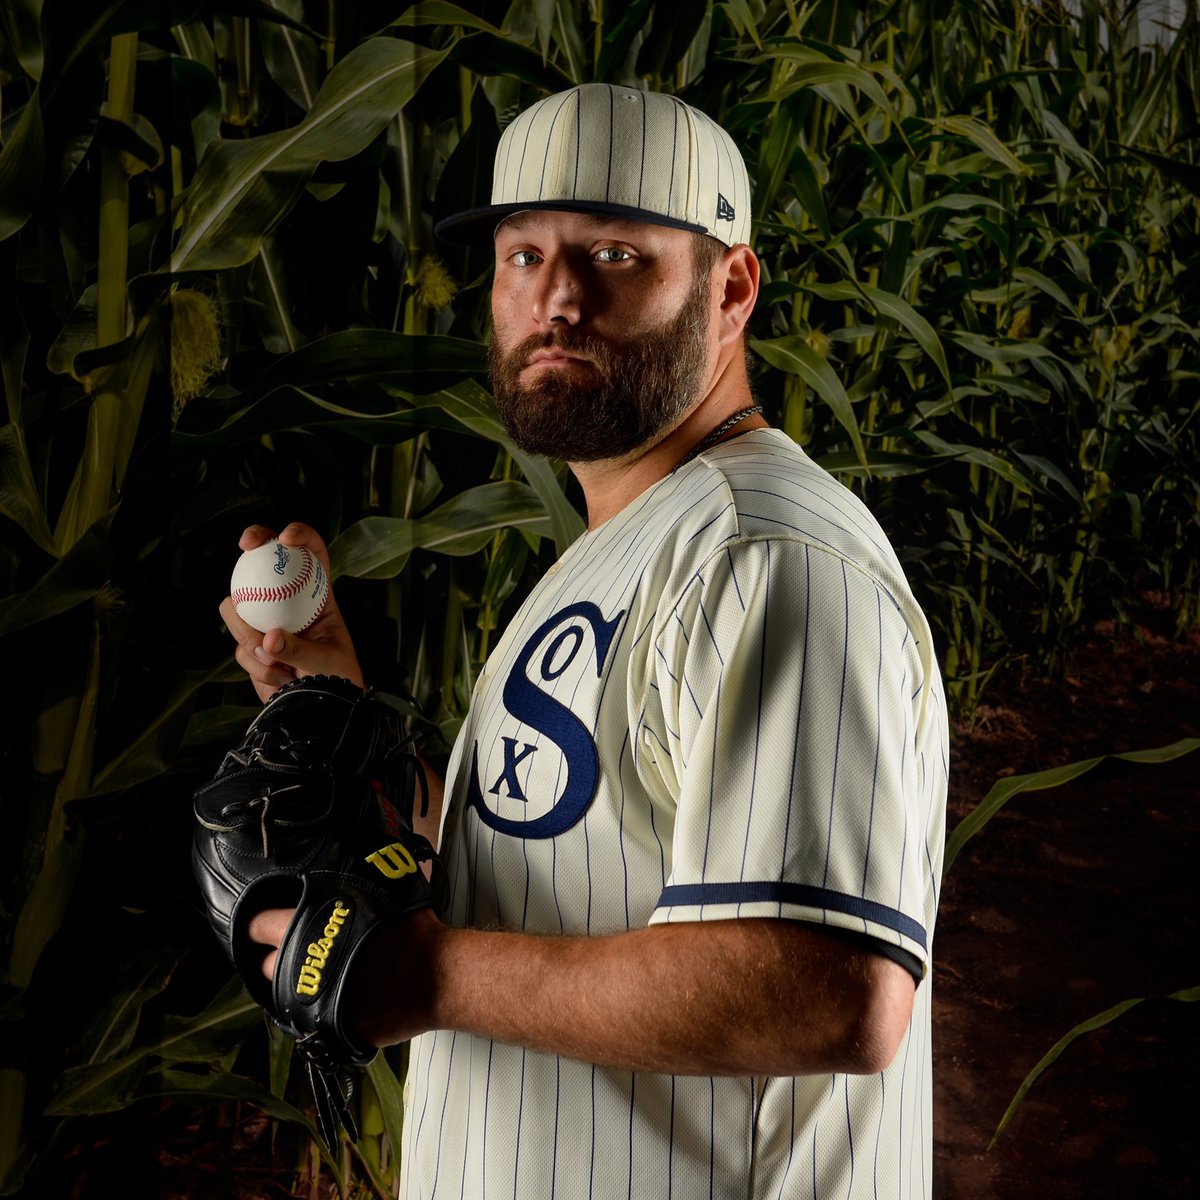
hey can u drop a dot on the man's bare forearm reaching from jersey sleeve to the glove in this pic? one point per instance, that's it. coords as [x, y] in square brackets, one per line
[721, 998]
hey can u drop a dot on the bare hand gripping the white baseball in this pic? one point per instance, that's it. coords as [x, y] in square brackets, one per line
[277, 657]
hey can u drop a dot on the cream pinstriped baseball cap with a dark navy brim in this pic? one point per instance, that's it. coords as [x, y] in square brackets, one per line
[623, 152]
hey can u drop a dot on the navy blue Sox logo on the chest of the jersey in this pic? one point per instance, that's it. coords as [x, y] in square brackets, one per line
[542, 713]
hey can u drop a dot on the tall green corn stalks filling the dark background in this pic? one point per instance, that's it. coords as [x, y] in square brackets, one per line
[221, 302]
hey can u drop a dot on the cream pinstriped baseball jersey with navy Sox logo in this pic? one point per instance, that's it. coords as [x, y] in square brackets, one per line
[721, 704]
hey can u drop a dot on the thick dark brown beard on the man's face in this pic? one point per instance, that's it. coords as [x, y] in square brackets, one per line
[644, 387]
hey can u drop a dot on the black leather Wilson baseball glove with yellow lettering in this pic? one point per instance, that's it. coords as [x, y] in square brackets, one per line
[314, 811]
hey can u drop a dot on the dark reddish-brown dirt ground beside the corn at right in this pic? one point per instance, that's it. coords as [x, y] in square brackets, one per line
[1071, 902]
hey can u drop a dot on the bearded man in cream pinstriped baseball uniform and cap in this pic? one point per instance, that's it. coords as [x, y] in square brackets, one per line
[694, 820]
